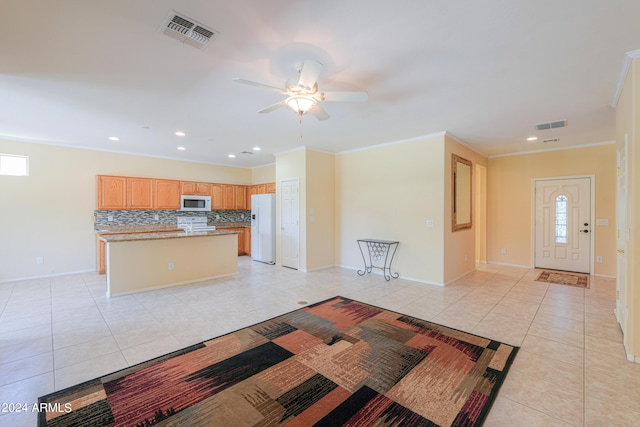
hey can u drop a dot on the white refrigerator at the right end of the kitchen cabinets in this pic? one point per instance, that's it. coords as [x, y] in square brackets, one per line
[263, 228]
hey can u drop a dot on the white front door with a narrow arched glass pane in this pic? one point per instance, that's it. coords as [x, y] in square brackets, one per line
[563, 224]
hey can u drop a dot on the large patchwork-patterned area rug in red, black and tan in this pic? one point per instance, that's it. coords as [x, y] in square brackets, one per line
[337, 362]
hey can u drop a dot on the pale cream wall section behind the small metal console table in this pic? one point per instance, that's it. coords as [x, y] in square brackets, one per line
[389, 192]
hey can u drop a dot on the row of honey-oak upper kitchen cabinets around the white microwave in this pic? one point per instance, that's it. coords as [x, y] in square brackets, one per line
[121, 192]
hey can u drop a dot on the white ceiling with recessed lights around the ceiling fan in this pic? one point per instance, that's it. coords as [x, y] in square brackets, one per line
[77, 72]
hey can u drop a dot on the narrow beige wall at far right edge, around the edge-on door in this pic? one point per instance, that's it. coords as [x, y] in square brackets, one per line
[627, 121]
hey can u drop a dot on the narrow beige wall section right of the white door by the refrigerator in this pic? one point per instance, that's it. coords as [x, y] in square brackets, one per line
[320, 209]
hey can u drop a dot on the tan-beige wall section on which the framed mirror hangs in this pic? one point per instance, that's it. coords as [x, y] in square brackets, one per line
[459, 246]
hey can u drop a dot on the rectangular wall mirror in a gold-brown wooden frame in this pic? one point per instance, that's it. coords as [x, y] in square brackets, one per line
[461, 193]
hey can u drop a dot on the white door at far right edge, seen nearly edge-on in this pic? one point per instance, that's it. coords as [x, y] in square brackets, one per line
[622, 235]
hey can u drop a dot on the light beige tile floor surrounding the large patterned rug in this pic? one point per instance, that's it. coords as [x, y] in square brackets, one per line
[571, 369]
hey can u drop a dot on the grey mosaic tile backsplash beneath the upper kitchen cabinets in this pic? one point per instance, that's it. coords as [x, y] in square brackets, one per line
[135, 217]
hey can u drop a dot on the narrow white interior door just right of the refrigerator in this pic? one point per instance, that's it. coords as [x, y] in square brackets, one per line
[290, 223]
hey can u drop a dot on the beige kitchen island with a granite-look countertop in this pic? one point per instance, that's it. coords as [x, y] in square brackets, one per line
[146, 261]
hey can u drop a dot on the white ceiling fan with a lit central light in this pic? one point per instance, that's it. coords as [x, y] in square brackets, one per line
[302, 92]
